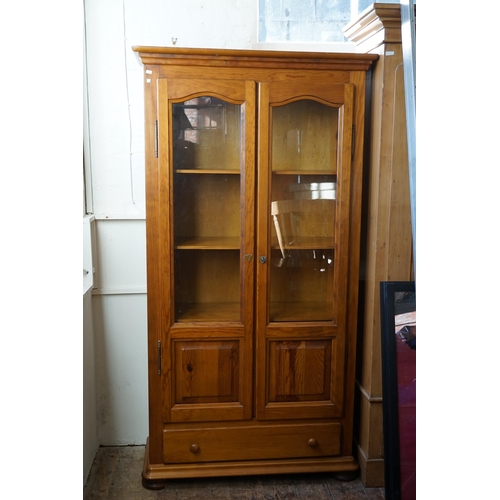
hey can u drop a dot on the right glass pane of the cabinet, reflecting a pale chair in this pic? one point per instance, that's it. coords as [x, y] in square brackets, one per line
[302, 211]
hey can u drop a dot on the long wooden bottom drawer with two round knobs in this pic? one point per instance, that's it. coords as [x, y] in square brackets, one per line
[251, 442]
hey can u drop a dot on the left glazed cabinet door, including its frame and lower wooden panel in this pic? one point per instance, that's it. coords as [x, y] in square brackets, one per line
[206, 150]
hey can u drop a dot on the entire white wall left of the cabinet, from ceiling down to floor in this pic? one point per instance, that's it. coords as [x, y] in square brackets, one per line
[114, 146]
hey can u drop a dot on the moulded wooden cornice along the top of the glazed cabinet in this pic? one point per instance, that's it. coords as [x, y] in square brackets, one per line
[252, 58]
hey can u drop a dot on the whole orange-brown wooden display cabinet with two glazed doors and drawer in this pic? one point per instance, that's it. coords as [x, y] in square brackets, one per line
[251, 343]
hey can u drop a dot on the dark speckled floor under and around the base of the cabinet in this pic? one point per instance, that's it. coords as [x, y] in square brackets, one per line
[116, 473]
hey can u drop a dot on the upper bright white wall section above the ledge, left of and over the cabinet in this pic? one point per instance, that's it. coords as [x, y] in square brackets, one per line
[115, 92]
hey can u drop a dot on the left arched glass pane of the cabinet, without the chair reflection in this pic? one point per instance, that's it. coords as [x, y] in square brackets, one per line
[207, 227]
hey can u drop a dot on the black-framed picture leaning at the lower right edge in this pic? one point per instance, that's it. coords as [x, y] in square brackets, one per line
[398, 342]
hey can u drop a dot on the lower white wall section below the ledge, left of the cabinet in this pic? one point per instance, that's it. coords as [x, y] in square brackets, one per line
[120, 325]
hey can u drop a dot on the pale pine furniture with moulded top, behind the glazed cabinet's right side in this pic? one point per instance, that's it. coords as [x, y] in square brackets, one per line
[387, 239]
